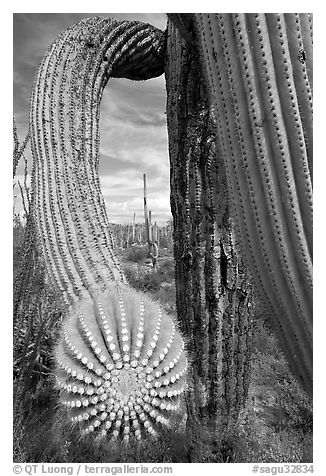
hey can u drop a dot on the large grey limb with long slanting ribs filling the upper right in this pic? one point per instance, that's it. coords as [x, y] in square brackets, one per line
[258, 70]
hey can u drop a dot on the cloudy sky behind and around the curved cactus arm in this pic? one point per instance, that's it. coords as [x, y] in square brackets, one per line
[133, 120]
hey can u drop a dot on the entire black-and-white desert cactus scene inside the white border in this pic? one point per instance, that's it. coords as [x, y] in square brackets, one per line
[162, 241]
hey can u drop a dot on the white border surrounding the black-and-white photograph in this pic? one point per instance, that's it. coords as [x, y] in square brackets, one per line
[320, 202]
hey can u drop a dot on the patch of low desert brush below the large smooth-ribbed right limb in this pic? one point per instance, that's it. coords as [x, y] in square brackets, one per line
[276, 424]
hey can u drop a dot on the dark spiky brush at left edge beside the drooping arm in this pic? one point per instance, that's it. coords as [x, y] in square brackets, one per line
[36, 322]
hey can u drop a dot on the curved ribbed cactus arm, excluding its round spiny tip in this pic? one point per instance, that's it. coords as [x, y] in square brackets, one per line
[68, 205]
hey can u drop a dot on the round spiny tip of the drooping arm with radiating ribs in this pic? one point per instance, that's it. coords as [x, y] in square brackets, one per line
[121, 365]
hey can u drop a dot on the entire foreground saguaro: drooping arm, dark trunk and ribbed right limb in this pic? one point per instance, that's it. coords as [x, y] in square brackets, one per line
[258, 72]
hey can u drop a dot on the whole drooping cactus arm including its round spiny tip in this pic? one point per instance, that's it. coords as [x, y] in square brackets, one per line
[120, 359]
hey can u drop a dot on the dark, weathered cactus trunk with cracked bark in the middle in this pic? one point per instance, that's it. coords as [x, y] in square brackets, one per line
[214, 299]
